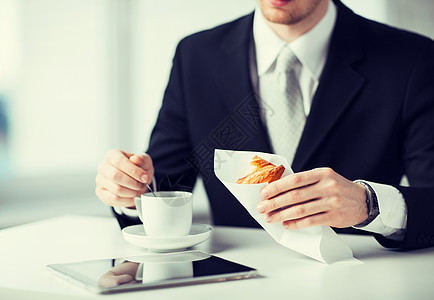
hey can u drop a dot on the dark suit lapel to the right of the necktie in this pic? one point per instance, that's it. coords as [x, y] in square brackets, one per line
[338, 86]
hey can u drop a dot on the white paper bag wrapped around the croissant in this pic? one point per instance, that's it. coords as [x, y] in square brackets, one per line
[318, 242]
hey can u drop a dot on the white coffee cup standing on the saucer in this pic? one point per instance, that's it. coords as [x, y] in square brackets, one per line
[166, 214]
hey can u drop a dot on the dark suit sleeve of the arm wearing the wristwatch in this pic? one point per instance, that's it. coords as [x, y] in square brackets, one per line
[418, 154]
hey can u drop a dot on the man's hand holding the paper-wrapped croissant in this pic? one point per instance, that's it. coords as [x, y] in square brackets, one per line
[315, 197]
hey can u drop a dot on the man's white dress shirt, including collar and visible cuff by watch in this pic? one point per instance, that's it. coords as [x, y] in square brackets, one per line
[311, 50]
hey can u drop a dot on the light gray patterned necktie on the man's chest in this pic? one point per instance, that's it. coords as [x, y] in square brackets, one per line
[286, 123]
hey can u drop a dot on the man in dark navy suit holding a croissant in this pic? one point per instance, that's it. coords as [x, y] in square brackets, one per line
[365, 108]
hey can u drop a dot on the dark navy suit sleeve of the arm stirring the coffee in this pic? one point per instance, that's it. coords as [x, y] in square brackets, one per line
[169, 146]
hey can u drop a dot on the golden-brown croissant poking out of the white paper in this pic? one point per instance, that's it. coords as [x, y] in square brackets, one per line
[264, 172]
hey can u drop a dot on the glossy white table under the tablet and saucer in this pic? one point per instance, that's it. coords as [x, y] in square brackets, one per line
[26, 250]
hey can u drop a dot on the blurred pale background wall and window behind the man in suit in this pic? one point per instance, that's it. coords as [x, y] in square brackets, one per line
[79, 77]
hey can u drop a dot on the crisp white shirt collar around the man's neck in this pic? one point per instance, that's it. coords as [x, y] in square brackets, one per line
[310, 48]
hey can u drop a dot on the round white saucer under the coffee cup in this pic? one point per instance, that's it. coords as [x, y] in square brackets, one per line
[136, 235]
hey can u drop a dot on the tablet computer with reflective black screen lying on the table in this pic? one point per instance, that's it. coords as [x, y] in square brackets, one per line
[151, 271]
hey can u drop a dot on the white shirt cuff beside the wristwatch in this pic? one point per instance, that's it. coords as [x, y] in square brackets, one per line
[392, 220]
